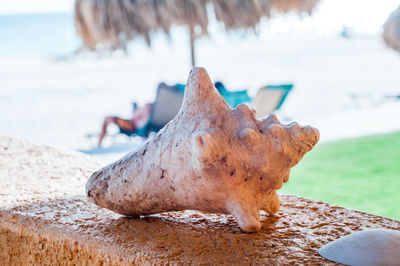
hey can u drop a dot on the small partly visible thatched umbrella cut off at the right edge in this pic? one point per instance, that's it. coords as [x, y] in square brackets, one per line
[391, 30]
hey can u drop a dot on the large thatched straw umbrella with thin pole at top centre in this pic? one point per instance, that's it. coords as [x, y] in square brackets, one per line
[117, 21]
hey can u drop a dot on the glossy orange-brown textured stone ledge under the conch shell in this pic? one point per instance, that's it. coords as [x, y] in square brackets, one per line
[45, 218]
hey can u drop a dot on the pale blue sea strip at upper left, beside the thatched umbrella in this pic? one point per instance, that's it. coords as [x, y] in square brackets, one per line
[50, 34]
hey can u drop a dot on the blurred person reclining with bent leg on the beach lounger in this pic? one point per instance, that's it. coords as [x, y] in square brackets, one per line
[139, 119]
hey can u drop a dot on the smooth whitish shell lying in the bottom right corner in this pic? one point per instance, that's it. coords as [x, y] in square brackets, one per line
[367, 248]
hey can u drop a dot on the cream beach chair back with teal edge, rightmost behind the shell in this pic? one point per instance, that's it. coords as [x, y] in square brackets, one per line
[270, 98]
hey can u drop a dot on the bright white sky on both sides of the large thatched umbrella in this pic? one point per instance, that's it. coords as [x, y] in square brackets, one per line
[366, 16]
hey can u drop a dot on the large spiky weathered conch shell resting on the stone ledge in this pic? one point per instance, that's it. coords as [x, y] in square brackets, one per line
[209, 158]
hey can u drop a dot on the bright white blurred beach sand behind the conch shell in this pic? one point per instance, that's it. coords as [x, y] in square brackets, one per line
[340, 85]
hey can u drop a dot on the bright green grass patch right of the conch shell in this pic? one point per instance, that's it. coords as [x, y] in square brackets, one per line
[361, 174]
